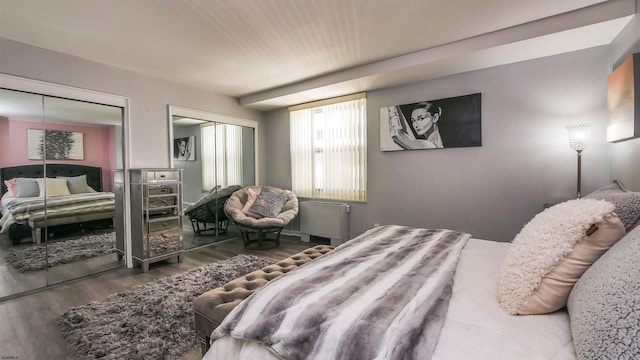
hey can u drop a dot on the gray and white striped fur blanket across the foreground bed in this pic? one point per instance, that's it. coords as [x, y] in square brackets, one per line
[382, 295]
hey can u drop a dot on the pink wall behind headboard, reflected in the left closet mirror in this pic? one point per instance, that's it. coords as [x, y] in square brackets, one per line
[99, 146]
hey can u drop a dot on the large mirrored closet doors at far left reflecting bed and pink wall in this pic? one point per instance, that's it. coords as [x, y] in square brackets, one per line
[58, 149]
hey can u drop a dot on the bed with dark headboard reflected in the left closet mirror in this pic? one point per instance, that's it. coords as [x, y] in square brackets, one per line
[74, 197]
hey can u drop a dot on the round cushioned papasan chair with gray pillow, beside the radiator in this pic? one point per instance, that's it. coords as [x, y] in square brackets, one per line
[260, 213]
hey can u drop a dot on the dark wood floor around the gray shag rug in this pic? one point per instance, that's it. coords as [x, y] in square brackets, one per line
[28, 327]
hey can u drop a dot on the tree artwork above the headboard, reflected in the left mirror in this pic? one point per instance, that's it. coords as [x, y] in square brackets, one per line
[55, 144]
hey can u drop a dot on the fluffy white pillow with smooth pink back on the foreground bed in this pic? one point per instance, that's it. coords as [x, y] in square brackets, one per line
[552, 251]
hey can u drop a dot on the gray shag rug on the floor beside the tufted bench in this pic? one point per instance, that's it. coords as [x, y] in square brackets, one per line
[151, 321]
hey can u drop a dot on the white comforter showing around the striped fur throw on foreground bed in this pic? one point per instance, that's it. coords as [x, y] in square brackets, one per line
[475, 326]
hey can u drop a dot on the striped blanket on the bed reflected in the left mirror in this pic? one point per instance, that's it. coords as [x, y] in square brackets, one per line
[21, 210]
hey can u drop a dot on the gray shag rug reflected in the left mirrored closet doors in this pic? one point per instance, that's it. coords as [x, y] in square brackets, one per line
[38, 257]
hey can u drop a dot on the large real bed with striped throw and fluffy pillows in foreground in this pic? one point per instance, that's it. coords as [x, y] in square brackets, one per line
[565, 288]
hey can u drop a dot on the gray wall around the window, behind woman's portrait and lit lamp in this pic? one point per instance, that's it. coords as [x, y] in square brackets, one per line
[493, 190]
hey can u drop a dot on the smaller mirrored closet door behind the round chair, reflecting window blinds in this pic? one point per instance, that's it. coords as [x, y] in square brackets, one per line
[218, 156]
